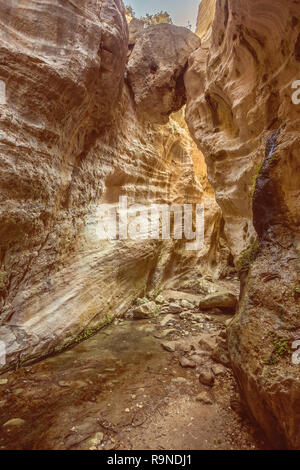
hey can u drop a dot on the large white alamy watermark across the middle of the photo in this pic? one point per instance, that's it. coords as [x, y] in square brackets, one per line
[153, 222]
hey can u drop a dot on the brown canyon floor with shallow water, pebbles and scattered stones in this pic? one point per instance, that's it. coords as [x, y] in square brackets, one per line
[160, 382]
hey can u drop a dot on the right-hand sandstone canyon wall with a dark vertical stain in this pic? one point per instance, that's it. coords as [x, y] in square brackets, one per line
[240, 112]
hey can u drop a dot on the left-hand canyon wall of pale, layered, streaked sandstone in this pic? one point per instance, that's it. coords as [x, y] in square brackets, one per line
[71, 139]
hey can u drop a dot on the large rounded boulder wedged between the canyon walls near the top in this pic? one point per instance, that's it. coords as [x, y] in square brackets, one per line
[156, 67]
